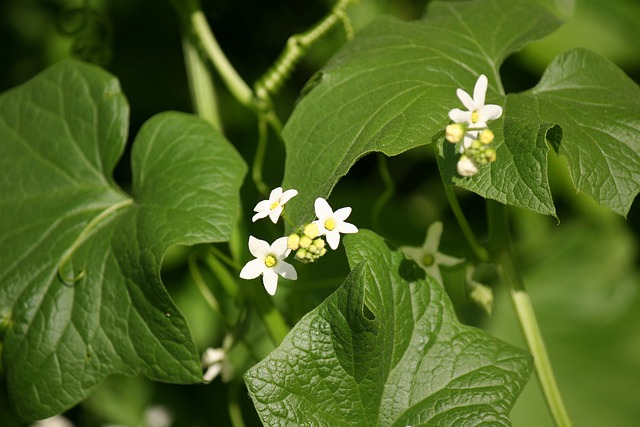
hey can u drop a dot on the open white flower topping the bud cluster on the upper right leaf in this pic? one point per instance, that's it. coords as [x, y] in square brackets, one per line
[478, 113]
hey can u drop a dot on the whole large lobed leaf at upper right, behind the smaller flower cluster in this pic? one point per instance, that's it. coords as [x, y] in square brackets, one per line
[391, 90]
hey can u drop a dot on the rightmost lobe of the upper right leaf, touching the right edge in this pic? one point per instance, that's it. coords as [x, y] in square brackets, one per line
[598, 108]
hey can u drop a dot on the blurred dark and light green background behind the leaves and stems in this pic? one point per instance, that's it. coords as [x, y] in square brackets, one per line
[582, 272]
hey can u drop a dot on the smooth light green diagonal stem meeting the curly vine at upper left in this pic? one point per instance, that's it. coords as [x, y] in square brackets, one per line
[237, 86]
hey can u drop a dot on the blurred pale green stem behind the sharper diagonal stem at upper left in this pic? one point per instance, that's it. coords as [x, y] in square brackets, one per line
[203, 93]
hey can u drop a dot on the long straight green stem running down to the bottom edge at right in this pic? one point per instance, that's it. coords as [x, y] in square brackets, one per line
[500, 242]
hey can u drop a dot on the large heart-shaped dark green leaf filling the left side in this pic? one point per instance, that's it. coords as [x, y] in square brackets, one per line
[80, 289]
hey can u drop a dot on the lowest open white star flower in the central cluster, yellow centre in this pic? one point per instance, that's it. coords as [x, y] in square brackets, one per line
[269, 263]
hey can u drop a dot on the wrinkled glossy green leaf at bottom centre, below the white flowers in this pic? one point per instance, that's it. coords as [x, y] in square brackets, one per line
[386, 350]
